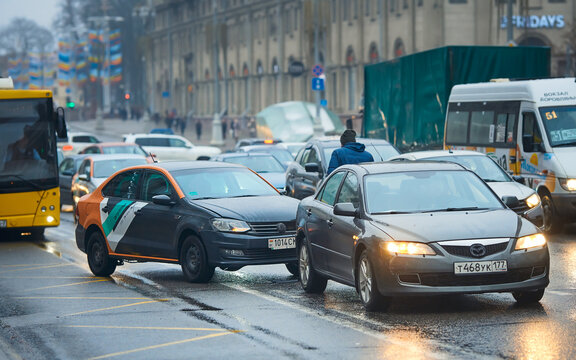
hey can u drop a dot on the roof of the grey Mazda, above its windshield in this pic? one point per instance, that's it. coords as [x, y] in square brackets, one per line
[404, 166]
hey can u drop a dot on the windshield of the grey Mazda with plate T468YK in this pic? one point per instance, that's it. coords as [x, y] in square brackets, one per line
[423, 191]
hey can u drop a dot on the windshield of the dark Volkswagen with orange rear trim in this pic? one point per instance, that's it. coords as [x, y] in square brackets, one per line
[221, 183]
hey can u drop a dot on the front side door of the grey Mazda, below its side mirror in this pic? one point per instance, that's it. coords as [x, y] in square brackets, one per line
[343, 229]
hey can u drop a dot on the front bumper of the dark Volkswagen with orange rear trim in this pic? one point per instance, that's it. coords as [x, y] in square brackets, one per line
[254, 249]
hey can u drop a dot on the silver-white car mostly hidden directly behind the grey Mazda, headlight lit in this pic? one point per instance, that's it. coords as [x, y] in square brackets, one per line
[528, 205]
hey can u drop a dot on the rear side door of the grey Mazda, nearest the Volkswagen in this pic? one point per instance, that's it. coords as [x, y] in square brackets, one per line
[319, 221]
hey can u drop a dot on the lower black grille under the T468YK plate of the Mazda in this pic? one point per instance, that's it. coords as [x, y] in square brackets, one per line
[449, 279]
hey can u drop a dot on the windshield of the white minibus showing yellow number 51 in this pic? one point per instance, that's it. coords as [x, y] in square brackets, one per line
[560, 124]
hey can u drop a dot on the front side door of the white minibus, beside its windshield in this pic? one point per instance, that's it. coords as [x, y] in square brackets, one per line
[532, 148]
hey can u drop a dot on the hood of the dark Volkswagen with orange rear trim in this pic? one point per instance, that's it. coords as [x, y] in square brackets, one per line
[254, 208]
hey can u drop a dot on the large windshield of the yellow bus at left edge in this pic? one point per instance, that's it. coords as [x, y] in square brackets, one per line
[29, 160]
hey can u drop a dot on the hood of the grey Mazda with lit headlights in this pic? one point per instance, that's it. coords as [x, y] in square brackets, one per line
[457, 225]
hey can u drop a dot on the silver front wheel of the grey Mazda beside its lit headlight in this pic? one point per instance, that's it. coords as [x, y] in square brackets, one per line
[366, 285]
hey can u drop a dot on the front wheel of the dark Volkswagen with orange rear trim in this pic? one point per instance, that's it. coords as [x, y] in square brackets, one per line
[194, 261]
